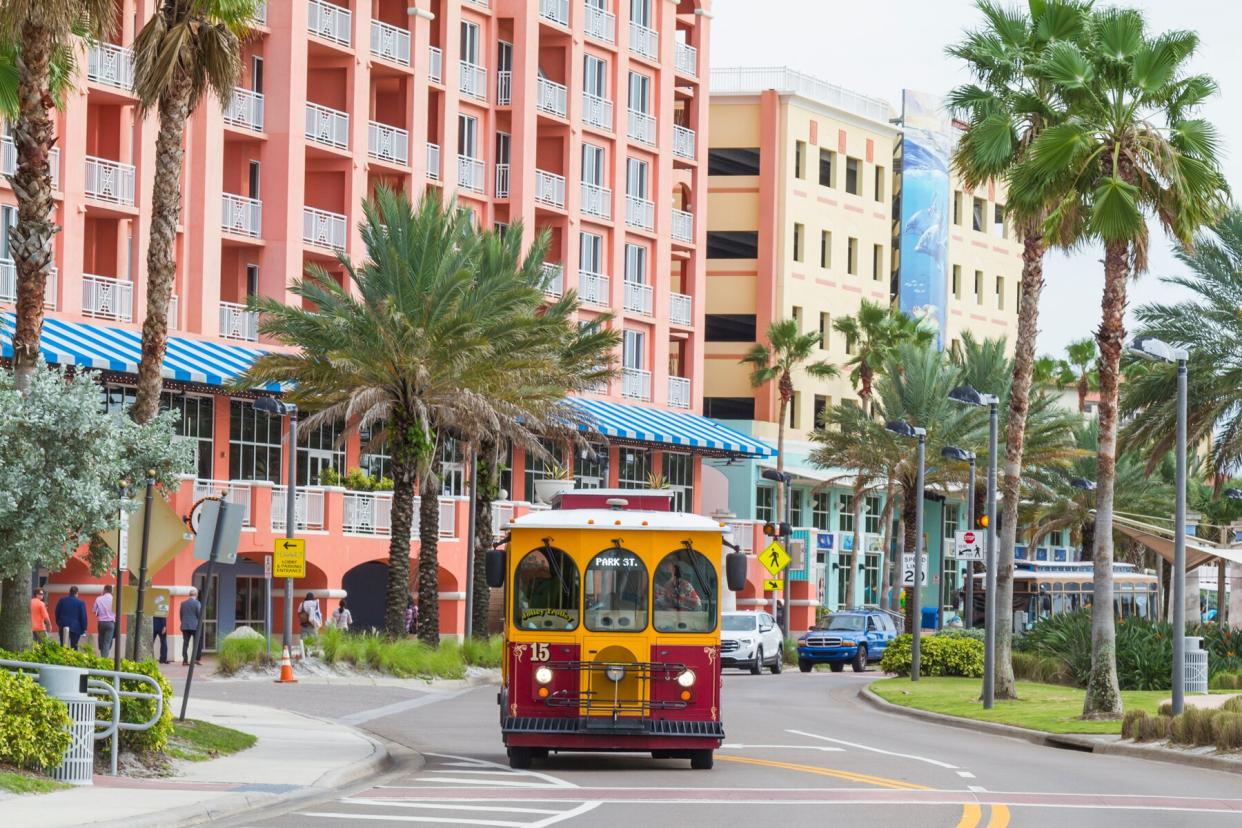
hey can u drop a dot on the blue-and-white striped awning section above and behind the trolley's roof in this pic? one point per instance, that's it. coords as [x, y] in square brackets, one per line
[680, 429]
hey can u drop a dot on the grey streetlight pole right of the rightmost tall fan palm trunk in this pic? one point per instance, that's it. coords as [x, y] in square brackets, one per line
[1153, 349]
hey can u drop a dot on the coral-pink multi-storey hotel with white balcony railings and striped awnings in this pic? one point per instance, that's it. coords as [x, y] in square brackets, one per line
[583, 117]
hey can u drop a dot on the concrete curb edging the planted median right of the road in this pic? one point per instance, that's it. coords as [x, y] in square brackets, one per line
[1064, 742]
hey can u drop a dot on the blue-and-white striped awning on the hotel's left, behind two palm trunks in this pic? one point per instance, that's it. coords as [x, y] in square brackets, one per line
[120, 349]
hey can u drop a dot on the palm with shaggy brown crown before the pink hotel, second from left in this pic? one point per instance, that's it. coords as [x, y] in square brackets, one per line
[188, 49]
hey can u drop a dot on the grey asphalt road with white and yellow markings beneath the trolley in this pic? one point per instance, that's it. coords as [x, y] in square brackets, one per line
[800, 750]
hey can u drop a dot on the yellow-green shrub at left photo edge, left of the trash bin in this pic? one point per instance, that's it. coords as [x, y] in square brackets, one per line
[34, 727]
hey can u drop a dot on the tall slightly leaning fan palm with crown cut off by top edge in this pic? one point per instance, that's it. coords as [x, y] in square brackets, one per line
[1009, 107]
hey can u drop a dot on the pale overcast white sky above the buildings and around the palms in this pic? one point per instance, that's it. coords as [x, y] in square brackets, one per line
[882, 47]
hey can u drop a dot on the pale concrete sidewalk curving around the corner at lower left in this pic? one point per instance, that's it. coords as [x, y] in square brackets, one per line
[296, 758]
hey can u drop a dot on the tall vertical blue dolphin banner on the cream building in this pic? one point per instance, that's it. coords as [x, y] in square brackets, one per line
[925, 230]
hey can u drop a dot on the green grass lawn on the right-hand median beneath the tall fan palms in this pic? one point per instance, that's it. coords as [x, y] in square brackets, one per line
[1051, 708]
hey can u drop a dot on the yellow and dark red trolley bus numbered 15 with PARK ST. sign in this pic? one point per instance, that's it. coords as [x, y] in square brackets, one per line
[613, 628]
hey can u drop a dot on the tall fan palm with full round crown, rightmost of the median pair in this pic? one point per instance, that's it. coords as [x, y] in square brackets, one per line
[1130, 148]
